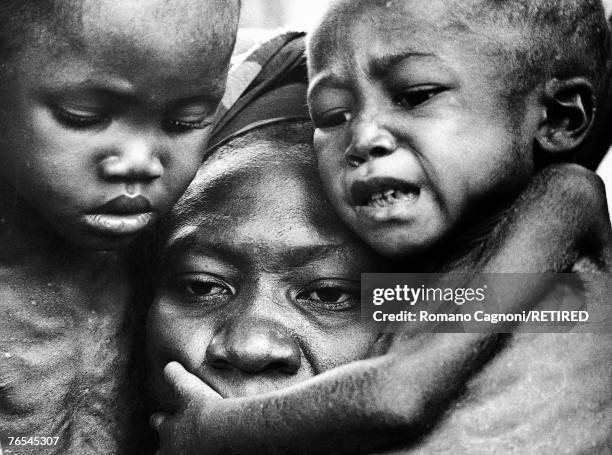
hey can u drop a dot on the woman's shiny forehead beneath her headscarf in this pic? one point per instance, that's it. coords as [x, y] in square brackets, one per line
[260, 188]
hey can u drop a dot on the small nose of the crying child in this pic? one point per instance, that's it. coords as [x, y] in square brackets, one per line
[370, 140]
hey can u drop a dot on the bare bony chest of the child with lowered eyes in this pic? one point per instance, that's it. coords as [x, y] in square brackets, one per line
[64, 347]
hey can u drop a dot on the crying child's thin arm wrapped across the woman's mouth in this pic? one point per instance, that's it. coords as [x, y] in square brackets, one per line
[560, 221]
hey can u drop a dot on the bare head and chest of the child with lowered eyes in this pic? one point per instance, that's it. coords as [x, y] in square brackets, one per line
[104, 126]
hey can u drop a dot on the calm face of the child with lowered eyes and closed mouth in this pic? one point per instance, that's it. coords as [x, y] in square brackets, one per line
[102, 130]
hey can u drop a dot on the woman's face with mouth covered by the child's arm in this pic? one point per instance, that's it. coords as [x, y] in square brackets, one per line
[259, 289]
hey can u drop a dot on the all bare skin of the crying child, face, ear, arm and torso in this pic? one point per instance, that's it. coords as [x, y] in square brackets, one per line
[399, 102]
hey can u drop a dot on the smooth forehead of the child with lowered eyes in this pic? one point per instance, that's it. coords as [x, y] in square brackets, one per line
[159, 51]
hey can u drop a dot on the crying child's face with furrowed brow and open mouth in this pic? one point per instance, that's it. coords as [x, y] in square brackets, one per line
[412, 127]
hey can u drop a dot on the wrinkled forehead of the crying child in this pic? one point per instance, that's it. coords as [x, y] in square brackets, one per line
[413, 48]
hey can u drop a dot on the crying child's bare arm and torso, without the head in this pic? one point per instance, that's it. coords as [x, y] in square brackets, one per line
[402, 394]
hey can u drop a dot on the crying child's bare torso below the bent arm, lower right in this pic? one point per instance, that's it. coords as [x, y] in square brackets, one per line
[536, 384]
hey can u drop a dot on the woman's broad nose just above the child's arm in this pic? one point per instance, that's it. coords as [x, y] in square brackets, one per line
[255, 346]
